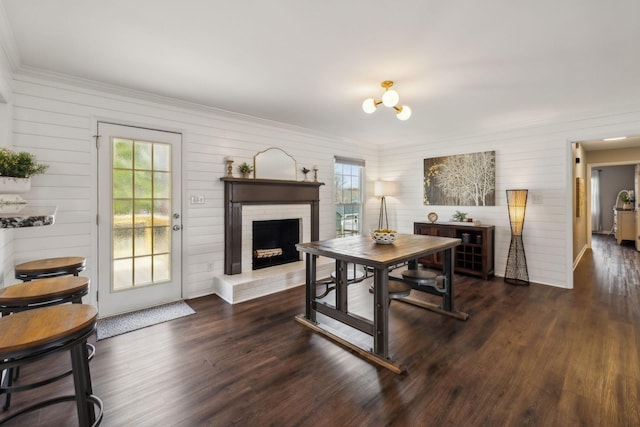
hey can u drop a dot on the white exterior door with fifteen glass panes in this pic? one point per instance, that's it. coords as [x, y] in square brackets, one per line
[139, 218]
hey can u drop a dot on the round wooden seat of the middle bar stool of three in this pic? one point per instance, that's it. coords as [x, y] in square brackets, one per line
[53, 290]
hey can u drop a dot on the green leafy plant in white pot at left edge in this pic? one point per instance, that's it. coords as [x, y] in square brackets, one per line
[16, 170]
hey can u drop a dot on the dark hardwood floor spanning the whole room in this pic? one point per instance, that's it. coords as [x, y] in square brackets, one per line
[537, 355]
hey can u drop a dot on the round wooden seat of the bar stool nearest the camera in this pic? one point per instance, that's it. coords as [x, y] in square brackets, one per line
[35, 330]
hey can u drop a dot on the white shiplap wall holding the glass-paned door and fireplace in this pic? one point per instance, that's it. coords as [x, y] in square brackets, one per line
[56, 120]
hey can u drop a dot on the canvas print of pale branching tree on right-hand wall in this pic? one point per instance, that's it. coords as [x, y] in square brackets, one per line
[461, 180]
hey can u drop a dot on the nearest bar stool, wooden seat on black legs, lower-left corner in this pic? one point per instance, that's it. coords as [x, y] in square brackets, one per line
[33, 335]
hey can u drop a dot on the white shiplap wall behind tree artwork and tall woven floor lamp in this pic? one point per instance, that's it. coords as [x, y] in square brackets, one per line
[537, 158]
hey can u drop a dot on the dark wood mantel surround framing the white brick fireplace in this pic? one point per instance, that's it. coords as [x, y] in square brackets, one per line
[243, 191]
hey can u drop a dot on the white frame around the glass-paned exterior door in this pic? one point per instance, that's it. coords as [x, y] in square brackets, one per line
[94, 274]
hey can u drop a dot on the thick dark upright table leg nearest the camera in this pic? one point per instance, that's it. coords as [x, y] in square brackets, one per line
[381, 312]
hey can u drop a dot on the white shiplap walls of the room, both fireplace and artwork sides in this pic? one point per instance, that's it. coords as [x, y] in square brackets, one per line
[56, 120]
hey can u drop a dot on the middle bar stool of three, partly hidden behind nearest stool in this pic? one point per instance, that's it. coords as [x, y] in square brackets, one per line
[41, 293]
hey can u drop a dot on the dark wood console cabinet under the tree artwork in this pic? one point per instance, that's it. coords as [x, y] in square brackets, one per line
[473, 256]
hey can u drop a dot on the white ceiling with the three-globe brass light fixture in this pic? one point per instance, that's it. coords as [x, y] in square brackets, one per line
[462, 66]
